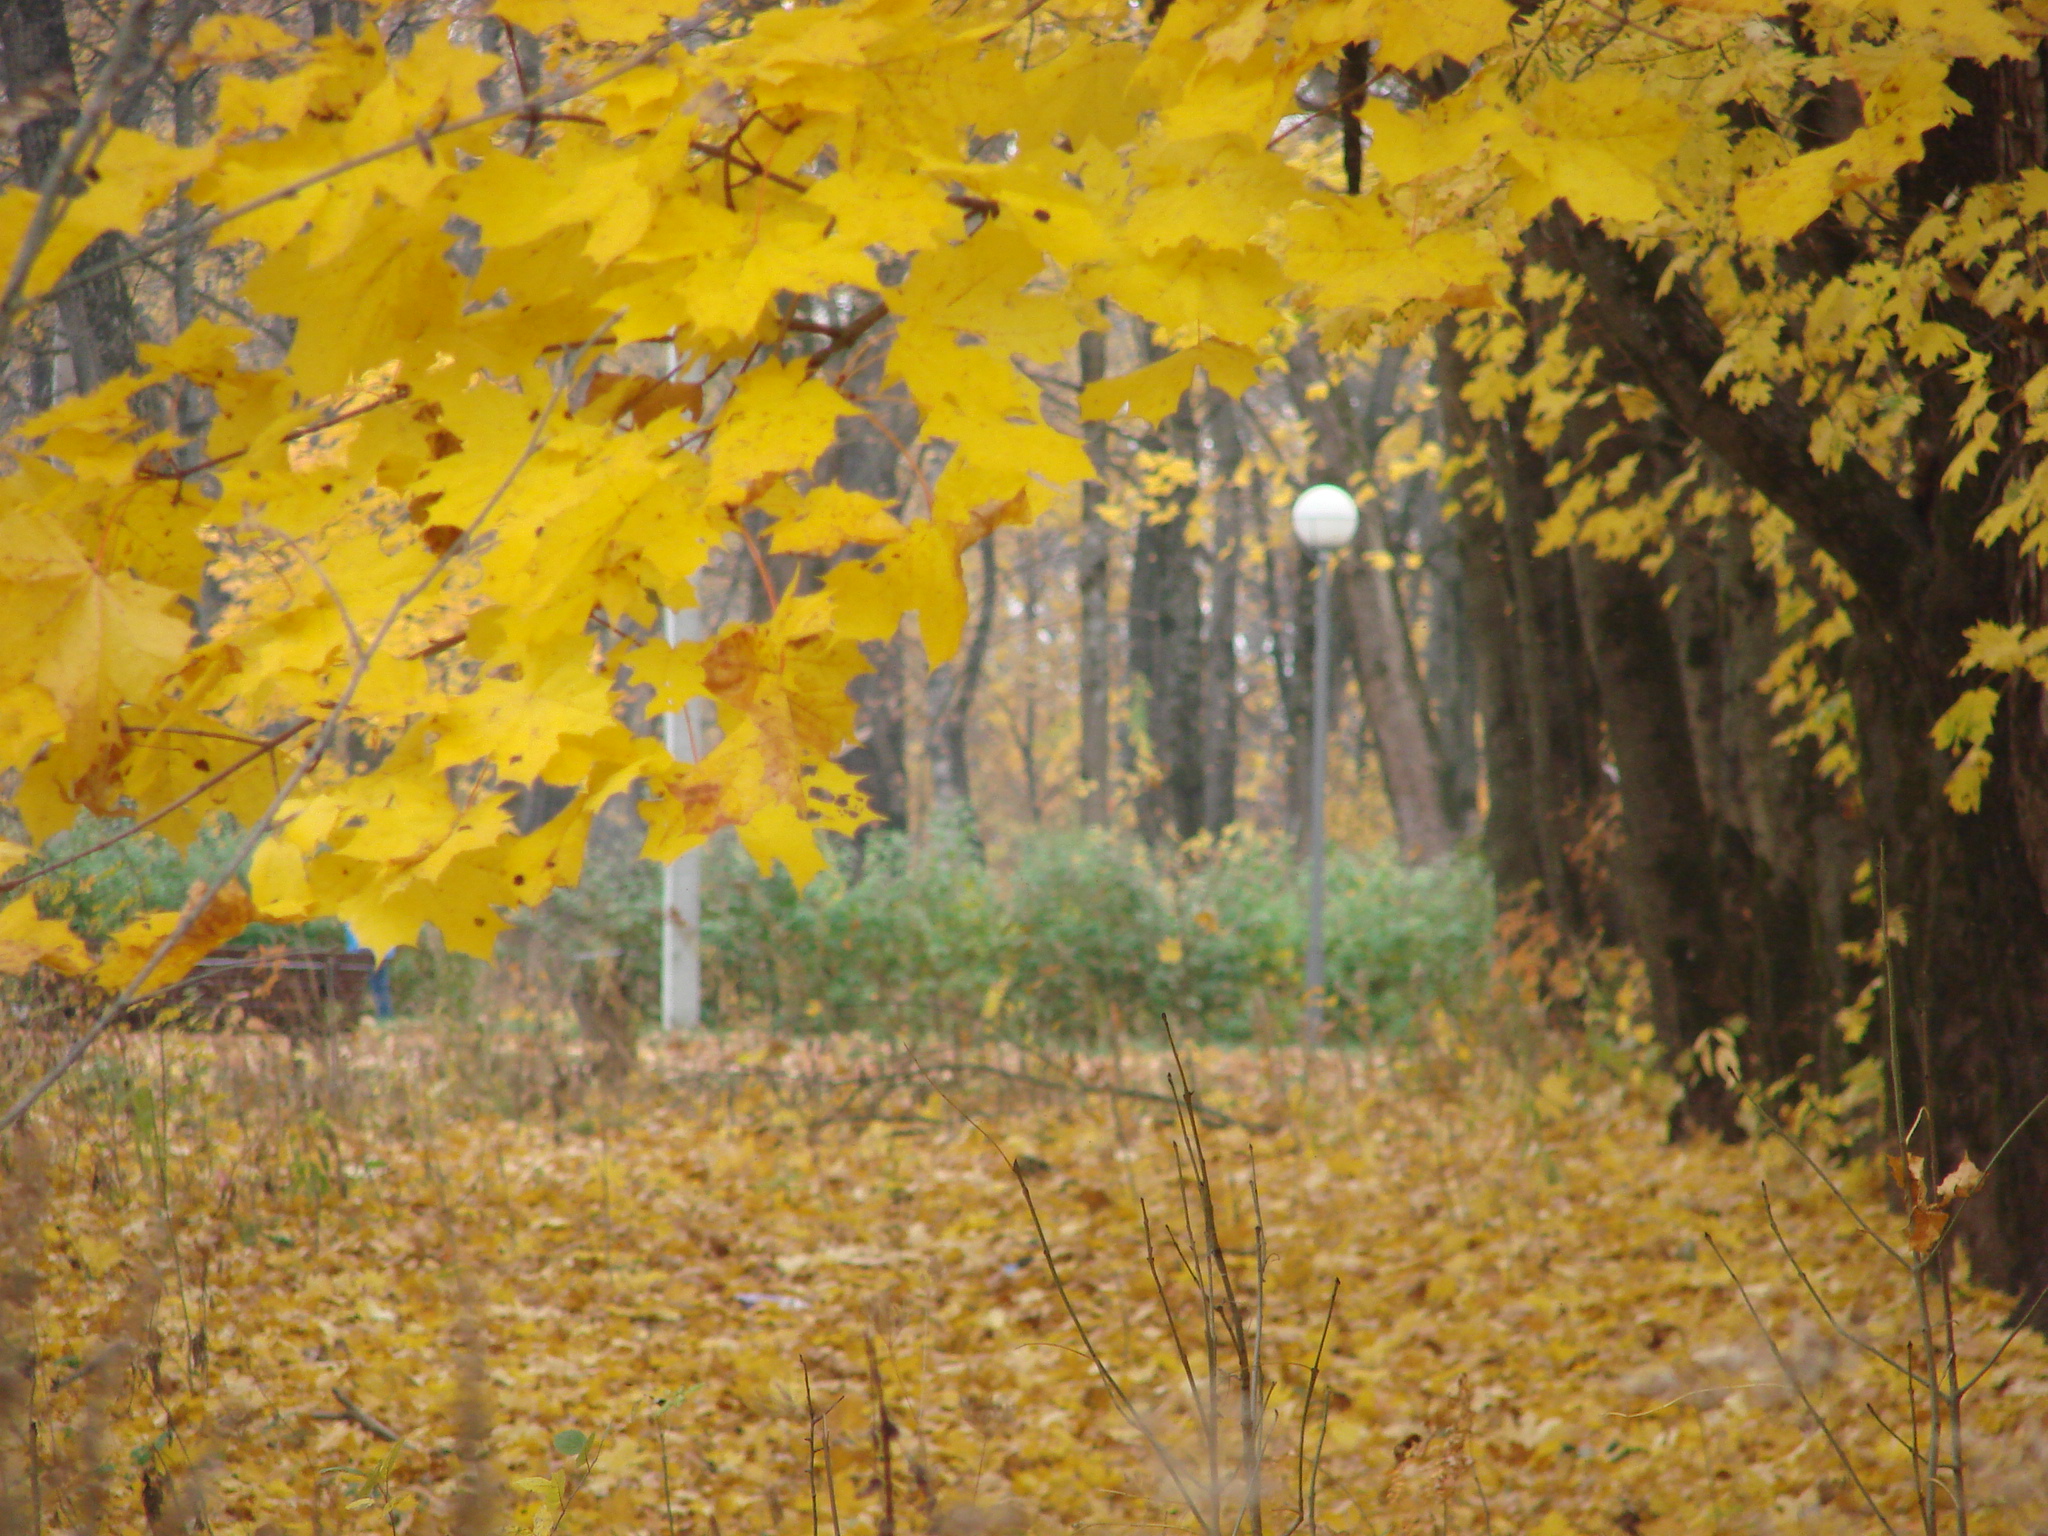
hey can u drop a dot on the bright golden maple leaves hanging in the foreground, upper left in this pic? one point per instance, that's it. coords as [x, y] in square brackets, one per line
[556, 341]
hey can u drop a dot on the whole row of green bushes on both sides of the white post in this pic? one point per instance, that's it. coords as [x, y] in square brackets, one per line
[1068, 937]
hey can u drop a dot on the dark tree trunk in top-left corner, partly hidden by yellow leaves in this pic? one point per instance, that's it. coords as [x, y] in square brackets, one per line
[97, 314]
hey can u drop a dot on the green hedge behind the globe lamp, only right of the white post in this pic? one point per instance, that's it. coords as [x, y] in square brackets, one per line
[1082, 933]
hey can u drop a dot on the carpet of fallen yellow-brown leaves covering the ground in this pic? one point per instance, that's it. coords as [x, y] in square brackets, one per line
[689, 1308]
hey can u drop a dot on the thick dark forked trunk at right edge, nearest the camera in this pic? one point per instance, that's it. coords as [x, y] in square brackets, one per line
[1973, 982]
